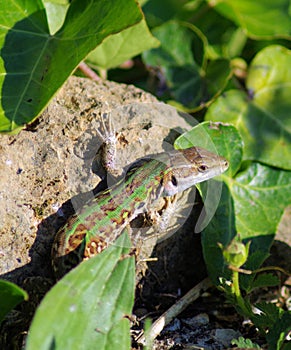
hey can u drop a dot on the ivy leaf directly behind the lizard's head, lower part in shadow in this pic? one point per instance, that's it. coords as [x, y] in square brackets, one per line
[218, 222]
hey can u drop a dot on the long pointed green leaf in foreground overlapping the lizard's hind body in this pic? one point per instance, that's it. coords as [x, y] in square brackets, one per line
[88, 308]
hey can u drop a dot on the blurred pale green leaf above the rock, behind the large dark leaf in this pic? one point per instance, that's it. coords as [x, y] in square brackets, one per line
[120, 47]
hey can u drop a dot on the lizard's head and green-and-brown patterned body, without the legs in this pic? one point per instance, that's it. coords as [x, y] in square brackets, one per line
[103, 219]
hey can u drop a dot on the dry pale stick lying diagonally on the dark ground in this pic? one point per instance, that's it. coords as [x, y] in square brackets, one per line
[173, 311]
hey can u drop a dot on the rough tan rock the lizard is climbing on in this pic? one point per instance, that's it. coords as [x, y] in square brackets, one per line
[46, 170]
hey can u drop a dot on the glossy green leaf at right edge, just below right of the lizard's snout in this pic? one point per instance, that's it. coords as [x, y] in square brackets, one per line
[260, 195]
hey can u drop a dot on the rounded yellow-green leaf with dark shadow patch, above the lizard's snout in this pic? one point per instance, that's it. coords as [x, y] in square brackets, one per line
[264, 119]
